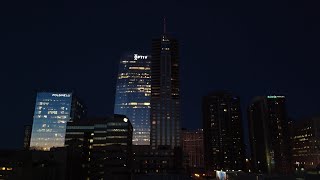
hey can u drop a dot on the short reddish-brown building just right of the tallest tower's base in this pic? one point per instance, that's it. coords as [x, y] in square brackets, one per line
[192, 146]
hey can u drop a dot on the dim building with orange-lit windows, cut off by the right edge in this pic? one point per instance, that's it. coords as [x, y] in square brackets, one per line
[306, 143]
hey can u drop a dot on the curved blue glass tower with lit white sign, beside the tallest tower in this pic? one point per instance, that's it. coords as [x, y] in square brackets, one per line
[133, 94]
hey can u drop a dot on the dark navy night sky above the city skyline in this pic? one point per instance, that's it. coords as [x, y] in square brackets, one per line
[250, 48]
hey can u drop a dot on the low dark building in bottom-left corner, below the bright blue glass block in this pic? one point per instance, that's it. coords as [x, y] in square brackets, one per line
[37, 165]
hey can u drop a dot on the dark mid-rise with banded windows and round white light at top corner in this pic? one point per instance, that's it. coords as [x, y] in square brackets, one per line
[105, 145]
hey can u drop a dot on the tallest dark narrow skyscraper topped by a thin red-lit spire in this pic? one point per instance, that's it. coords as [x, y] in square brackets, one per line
[165, 92]
